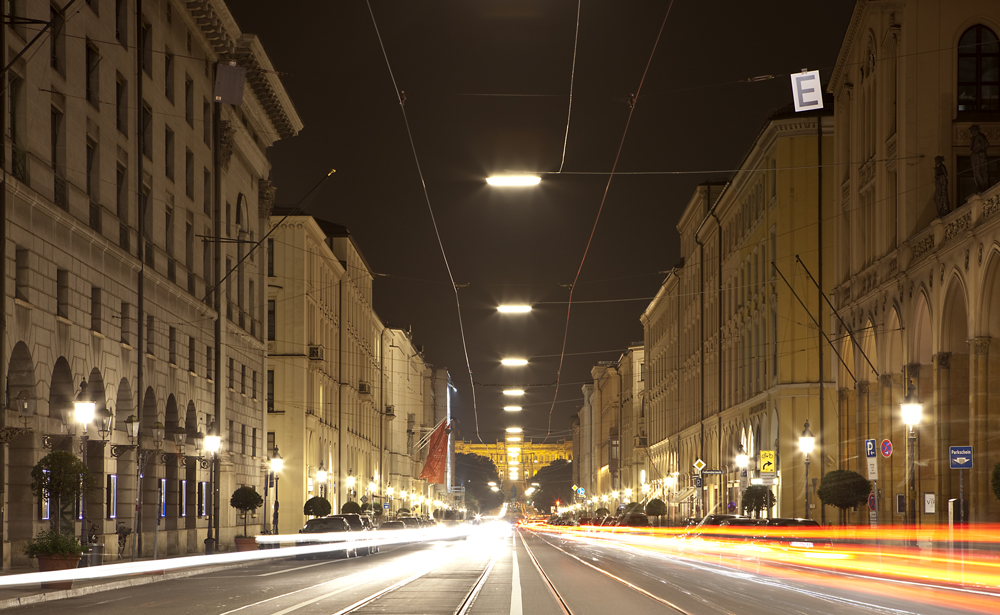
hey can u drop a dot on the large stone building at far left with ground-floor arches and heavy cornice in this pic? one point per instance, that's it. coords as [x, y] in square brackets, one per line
[132, 207]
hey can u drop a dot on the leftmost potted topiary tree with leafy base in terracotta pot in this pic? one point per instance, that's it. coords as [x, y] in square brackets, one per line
[61, 478]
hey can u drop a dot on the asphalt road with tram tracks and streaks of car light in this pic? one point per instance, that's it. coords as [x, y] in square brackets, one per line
[587, 577]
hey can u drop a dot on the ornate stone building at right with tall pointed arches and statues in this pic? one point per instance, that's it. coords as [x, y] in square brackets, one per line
[918, 247]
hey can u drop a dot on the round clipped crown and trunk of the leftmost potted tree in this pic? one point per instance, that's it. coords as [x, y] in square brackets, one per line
[61, 477]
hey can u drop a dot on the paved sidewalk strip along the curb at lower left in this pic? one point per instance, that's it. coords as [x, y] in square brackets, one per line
[34, 594]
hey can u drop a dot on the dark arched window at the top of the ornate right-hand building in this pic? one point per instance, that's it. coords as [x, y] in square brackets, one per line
[979, 70]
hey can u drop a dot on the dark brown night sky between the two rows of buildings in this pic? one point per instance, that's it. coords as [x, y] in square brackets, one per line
[487, 88]
